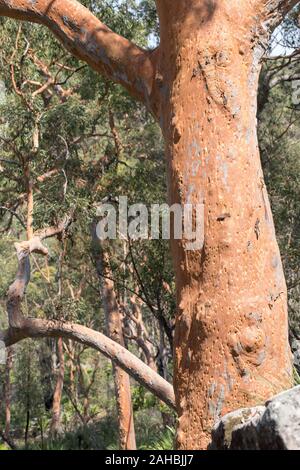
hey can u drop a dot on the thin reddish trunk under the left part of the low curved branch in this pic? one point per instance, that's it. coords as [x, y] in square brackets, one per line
[55, 427]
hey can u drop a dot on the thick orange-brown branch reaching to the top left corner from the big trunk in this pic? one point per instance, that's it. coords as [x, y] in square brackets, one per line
[87, 38]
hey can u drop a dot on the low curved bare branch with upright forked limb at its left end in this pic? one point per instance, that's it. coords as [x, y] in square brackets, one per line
[21, 327]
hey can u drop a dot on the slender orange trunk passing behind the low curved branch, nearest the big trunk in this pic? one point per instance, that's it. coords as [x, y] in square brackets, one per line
[114, 323]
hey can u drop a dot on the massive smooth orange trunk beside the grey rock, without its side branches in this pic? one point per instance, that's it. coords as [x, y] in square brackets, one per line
[231, 341]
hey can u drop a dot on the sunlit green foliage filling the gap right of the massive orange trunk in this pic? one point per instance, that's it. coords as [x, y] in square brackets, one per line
[280, 145]
